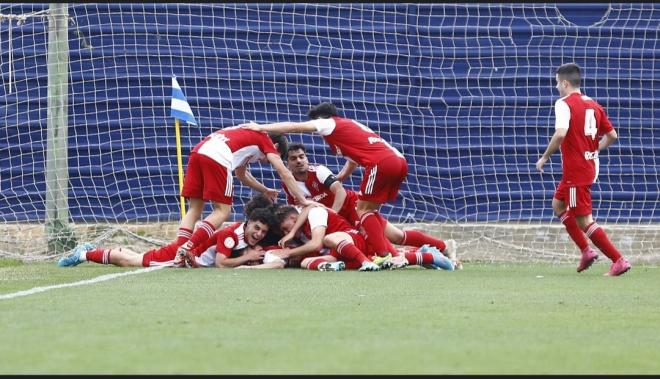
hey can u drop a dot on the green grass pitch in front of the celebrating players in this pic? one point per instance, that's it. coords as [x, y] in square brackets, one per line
[489, 319]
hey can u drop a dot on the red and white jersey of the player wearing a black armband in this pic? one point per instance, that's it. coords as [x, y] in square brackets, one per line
[317, 187]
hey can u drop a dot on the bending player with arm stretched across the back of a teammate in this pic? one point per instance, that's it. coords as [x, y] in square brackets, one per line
[385, 167]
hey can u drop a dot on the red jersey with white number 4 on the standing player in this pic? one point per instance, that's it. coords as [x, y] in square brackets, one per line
[587, 123]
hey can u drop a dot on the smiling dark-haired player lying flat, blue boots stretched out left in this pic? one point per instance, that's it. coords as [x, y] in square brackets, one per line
[221, 250]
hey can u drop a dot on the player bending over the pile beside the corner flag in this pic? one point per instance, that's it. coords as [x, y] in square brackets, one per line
[209, 177]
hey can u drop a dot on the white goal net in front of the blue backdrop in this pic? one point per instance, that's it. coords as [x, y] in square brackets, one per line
[465, 91]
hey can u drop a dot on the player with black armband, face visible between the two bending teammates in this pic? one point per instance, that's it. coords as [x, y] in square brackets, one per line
[320, 184]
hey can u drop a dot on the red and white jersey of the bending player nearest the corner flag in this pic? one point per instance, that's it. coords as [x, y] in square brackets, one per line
[235, 146]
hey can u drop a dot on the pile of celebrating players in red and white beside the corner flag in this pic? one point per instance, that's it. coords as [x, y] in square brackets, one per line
[322, 227]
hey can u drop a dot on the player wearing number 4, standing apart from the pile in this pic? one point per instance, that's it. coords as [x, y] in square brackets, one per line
[582, 130]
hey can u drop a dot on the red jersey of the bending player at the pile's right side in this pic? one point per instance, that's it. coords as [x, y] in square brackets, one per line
[354, 140]
